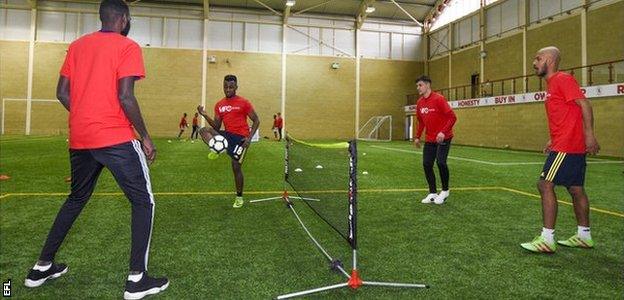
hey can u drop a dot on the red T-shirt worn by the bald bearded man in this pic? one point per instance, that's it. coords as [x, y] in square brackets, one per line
[565, 117]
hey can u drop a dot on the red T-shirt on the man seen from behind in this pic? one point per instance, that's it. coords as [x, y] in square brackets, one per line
[94, 63]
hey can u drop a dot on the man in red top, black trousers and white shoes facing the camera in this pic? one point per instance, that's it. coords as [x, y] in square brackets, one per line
[436, 117]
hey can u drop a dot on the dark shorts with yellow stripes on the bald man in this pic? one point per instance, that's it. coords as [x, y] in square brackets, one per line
[565, 169]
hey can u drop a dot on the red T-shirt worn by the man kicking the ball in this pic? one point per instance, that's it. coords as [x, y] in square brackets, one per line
[234, 111]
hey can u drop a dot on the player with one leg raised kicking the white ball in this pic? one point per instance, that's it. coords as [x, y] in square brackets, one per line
[232, 111]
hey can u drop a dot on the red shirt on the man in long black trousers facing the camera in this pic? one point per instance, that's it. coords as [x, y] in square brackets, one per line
[435, 114]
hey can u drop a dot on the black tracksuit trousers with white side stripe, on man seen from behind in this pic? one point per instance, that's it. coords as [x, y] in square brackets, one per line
[128, 164]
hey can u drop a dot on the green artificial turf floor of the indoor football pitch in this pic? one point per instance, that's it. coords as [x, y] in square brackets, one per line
[467, 248]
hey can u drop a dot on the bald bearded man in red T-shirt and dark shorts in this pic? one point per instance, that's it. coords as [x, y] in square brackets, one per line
[570, 122]
